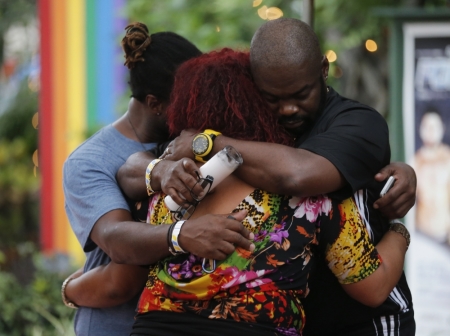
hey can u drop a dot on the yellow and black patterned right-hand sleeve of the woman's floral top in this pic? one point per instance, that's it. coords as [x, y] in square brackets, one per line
[349, 252]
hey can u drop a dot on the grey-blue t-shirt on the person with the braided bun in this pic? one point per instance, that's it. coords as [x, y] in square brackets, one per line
[91, 190]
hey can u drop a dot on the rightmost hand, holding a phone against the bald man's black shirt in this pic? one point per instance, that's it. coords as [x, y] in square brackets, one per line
[402, 196]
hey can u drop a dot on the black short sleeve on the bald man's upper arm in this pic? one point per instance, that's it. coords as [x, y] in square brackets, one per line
[356, 142]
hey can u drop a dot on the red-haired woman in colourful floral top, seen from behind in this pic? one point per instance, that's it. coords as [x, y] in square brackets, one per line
[256, 292]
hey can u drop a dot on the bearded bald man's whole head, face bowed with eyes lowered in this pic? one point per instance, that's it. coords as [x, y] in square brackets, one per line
[290, 72]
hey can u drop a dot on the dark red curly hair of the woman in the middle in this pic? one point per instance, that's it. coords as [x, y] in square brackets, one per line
[216, 91]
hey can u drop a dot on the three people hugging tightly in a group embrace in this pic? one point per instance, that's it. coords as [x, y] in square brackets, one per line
[295, 242]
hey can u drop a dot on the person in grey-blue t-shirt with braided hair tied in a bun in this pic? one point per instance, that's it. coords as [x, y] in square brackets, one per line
[94, 202]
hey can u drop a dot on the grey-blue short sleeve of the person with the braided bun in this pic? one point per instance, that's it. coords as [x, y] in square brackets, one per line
[90, 192]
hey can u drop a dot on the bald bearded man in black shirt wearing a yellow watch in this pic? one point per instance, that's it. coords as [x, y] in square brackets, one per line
[341, 145]
